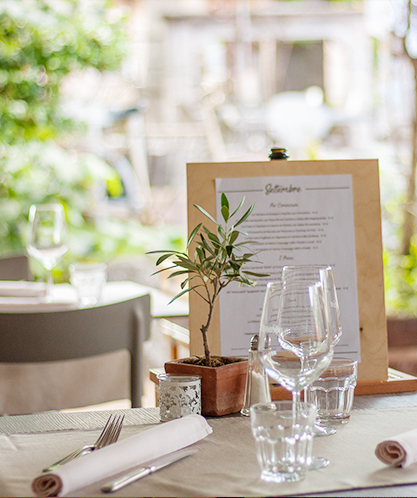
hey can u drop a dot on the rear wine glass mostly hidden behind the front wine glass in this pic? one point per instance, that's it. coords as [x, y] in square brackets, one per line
[324, 274]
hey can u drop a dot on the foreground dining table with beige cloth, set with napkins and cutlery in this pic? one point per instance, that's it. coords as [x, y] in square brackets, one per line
[225, 462]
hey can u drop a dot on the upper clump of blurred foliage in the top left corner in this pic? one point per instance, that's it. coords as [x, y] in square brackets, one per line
[42, 41]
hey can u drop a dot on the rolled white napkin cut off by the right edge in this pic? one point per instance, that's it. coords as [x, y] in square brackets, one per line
[400, 451]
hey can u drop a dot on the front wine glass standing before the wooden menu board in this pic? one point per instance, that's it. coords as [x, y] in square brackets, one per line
[294, 344]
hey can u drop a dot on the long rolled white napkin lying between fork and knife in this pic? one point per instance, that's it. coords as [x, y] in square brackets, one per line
[123, 455]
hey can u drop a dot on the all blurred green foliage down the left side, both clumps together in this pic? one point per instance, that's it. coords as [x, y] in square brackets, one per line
[41, 42]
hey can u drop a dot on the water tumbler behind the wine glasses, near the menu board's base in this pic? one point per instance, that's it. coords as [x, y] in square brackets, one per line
[333, 392]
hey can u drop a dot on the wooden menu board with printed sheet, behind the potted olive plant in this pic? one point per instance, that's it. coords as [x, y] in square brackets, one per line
[338, 199]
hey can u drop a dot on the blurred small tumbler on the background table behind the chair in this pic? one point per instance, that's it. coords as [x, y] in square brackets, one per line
[88, 280]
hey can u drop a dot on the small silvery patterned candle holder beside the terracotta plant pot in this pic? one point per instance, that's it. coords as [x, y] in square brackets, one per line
[179, 395]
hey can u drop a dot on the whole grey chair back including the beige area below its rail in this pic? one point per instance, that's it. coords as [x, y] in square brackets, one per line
[67, 337]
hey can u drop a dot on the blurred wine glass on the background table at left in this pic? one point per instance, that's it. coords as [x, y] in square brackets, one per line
[47, 238]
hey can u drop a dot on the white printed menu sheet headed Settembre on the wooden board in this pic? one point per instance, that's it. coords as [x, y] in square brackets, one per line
[297, 220]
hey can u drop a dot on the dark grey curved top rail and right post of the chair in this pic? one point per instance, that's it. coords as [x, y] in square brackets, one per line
[56, 336]
